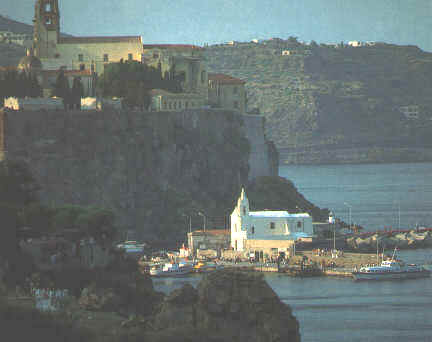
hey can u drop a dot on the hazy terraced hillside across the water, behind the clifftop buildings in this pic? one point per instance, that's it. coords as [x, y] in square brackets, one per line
[332, 99]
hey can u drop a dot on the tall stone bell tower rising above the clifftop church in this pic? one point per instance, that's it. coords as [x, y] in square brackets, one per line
[46, 28]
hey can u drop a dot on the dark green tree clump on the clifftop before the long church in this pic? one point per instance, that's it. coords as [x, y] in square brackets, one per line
[133, 80]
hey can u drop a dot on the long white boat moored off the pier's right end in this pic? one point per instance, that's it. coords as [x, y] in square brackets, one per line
[391, 269]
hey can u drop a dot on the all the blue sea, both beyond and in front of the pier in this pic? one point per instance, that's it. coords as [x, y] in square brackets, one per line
[340, 309]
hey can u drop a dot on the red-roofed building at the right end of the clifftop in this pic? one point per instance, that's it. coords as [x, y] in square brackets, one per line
[227, 92]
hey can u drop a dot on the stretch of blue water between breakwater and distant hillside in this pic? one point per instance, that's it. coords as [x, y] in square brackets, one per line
[375, 192]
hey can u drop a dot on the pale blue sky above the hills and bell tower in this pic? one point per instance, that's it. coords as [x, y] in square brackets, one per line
[404, 22]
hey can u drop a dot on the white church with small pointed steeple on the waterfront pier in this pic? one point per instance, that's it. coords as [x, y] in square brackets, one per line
[270, 232]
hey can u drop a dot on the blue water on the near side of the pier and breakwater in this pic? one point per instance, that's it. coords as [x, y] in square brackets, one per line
[340, 309]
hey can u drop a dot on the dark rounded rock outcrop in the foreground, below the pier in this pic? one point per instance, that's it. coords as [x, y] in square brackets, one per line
[228, 306]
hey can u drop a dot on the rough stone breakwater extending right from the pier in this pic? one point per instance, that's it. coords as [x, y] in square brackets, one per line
[402, 240]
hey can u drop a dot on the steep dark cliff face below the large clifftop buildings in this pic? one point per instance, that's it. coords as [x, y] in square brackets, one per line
[150, 168]
